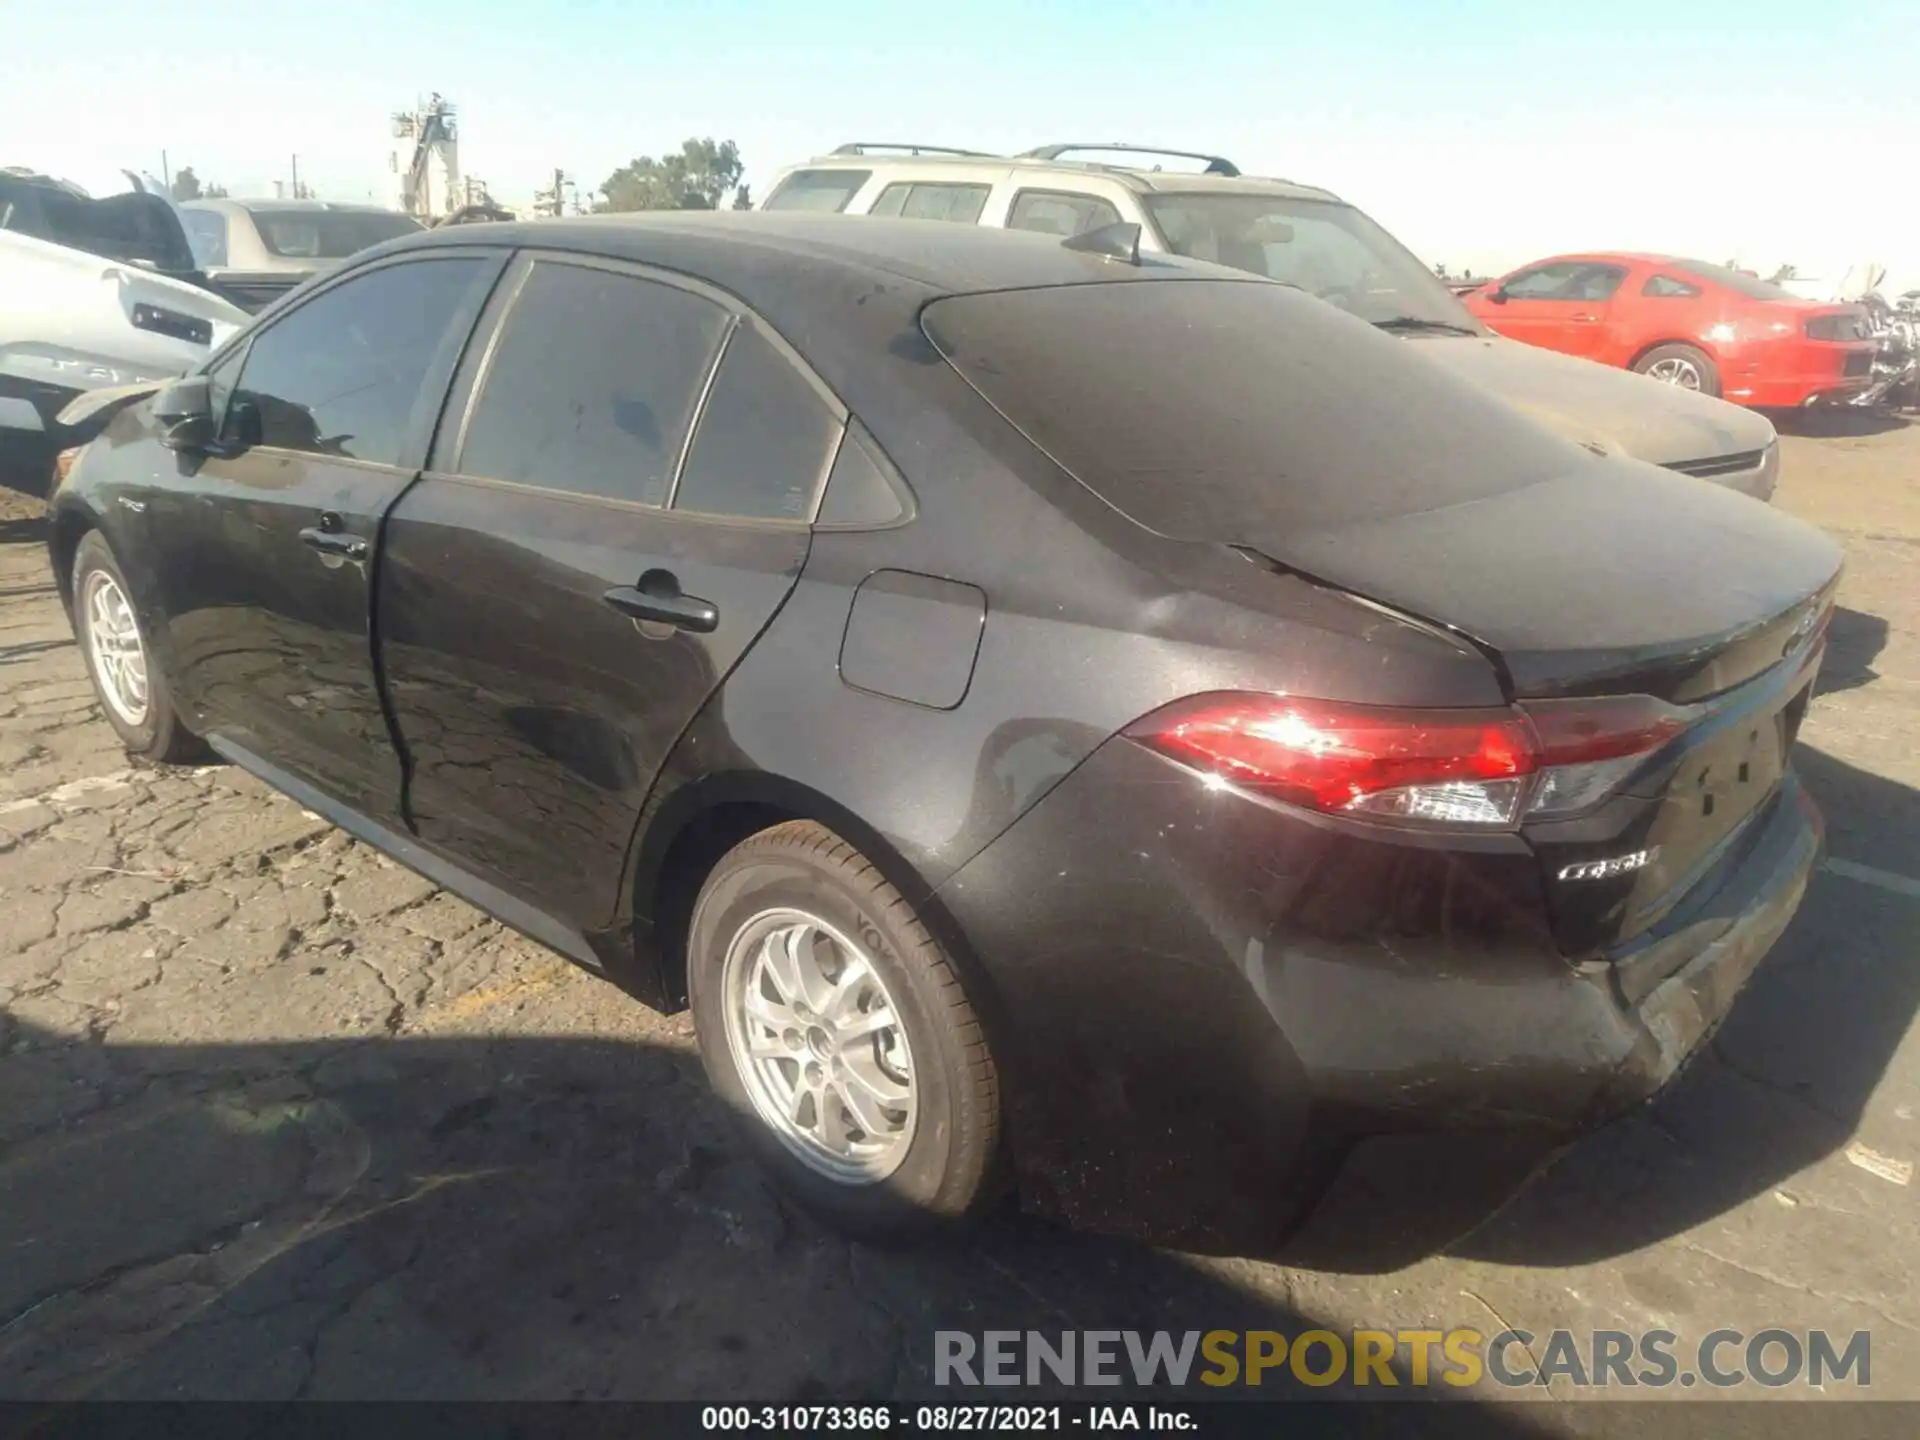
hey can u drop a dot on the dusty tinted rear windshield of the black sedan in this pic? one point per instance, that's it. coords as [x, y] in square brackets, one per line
[1218, 410]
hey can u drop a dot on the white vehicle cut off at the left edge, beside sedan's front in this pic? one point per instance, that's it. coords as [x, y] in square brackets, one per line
[95, 293]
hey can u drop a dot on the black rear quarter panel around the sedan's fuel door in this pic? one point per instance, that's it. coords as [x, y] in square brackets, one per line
[1090, 625]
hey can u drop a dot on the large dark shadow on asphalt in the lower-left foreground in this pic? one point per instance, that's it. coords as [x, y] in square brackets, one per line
[504, 1218]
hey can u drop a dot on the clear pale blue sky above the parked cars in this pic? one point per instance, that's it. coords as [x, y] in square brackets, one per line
[1483, 133]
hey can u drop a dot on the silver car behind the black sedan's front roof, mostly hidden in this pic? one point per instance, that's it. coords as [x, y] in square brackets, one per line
[256, 251]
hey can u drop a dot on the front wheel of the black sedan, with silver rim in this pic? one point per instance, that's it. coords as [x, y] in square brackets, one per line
[128, 677]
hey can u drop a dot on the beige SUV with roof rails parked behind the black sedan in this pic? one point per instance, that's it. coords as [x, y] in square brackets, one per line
[1305, 237]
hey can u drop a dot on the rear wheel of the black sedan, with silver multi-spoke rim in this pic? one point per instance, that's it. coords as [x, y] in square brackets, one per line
[836, 1028]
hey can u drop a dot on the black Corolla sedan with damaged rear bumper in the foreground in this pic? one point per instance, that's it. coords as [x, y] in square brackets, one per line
[1074, 725]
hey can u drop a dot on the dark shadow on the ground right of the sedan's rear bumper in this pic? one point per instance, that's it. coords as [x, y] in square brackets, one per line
[1787, 1080]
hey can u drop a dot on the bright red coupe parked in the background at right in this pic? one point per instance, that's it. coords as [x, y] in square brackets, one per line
[1702, 327]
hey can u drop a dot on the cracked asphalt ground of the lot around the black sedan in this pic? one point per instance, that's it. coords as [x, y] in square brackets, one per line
[279, 1118]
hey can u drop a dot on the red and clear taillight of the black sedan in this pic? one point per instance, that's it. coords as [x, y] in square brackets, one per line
[1416, 767]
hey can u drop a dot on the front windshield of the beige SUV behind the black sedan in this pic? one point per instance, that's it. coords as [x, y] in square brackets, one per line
[1326, 249]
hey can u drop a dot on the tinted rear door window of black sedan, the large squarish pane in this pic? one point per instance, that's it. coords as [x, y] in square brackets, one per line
[592, 385]
